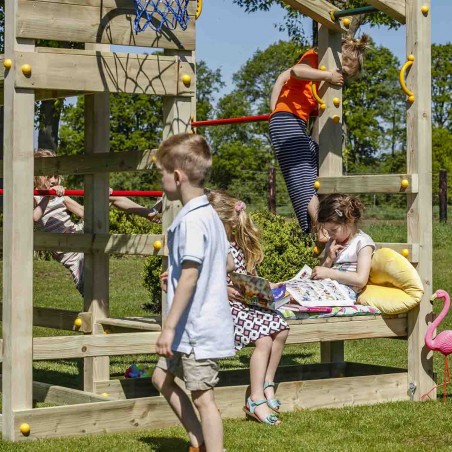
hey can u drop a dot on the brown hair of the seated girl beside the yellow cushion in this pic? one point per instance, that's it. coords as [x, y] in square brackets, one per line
[340, 209]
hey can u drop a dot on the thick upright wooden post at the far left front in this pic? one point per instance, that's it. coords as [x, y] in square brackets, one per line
[17, 366]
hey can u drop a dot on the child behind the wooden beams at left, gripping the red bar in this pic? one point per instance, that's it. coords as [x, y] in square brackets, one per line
[52, 214]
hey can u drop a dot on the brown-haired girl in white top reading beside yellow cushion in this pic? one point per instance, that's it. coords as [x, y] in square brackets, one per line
[348, 252]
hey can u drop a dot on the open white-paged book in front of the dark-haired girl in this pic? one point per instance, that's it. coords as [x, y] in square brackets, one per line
[317, 292]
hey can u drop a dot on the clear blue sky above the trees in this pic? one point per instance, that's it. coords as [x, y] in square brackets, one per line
[227, 36]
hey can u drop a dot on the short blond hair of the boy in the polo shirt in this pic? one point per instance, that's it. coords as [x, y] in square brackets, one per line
[188, 152]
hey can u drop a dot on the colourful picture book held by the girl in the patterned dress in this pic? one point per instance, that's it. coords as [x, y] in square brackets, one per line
[257, 291]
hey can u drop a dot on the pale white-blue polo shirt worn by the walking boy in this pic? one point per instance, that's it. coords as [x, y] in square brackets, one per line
[197, 234]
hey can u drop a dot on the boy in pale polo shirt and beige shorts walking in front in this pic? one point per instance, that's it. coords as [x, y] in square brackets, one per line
[198, 329]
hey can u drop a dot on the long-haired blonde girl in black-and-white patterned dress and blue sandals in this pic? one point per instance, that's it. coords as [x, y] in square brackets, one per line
[263, 327]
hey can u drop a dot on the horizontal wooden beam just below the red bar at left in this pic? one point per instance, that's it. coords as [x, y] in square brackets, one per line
[136, 244]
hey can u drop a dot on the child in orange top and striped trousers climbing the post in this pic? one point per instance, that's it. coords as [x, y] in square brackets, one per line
[292, 102]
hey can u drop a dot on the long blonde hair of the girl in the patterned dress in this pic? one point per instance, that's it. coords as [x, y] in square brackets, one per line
[239, 227]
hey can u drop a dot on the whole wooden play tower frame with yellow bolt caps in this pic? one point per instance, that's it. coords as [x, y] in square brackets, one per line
[33, 73]
